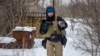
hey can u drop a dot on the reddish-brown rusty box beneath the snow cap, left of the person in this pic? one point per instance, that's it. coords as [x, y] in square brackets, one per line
[25, 37]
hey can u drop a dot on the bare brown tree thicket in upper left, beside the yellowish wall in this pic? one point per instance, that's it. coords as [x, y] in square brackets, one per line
[13, 12]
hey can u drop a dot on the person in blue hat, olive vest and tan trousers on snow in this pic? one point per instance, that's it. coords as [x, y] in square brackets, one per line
[51, 28]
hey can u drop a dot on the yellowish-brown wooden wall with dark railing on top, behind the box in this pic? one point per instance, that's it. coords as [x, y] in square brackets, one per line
[33, 19]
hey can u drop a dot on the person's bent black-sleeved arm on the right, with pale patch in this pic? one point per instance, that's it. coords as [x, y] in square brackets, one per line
[61, 23]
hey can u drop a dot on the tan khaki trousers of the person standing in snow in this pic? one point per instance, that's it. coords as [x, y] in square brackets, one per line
[54, 48]
